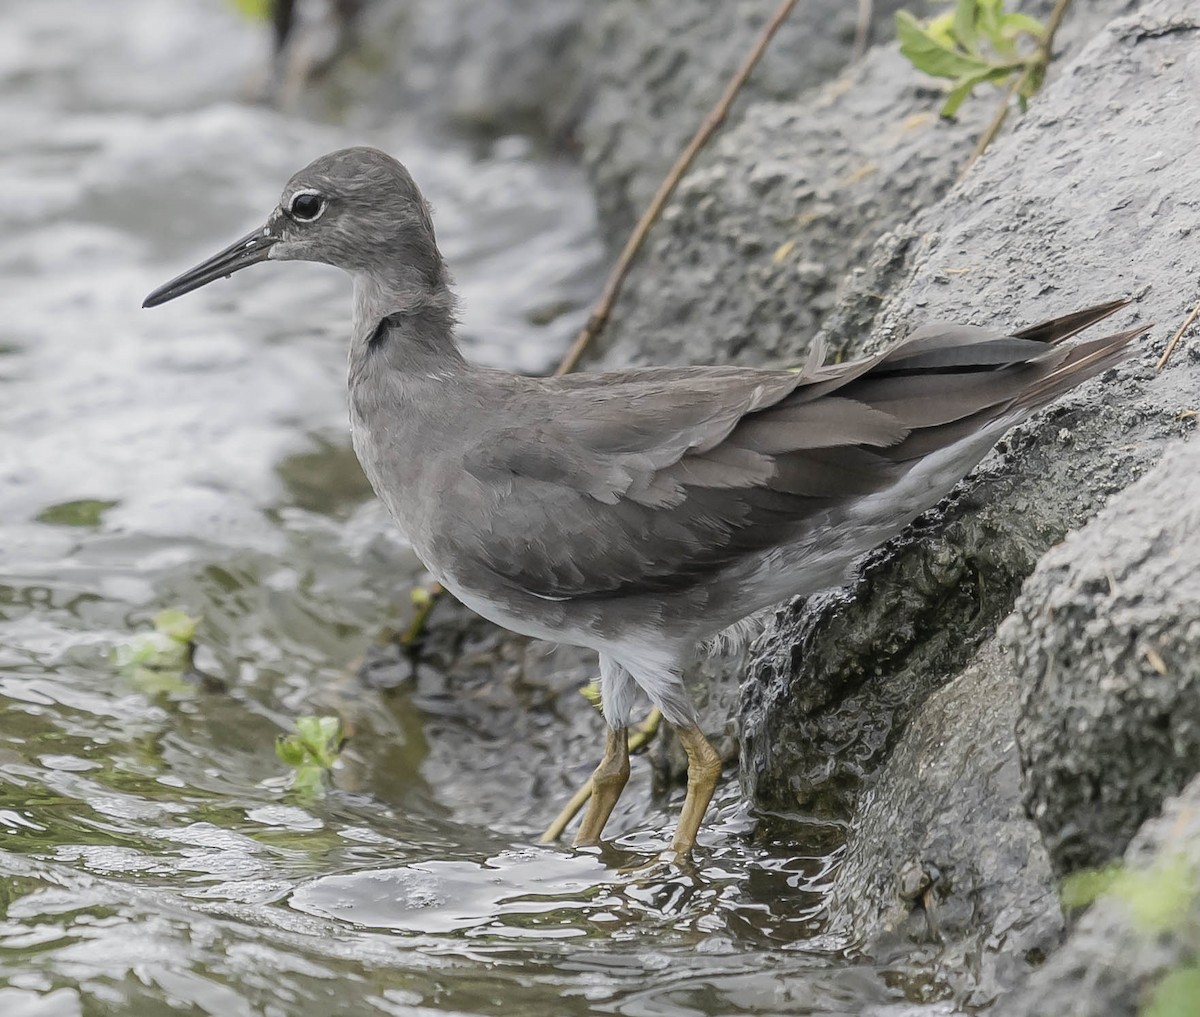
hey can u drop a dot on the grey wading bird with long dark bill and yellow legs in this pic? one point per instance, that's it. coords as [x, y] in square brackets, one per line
[638, 513]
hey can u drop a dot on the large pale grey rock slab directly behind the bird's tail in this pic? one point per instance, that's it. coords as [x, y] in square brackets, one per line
[1024, 232]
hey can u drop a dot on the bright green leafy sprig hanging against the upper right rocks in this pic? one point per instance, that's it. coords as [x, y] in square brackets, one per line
[979, 41]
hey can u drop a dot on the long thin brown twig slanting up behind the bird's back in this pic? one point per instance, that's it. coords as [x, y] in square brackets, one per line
[667, 189]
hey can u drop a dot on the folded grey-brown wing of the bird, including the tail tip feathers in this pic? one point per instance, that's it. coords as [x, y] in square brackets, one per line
[653, 480]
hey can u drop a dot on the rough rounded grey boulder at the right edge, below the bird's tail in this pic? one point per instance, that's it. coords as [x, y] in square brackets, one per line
[1107, 635]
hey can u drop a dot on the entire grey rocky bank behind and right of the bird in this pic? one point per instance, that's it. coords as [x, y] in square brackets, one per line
[1013, 687]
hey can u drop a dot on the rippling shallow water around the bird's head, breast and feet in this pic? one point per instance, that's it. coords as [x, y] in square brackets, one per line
[153, 859]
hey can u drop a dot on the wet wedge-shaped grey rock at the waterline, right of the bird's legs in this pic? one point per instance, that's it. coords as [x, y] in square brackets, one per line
[943, 868]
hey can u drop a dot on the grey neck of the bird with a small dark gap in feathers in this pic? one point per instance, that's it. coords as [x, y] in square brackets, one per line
[405, 326]
